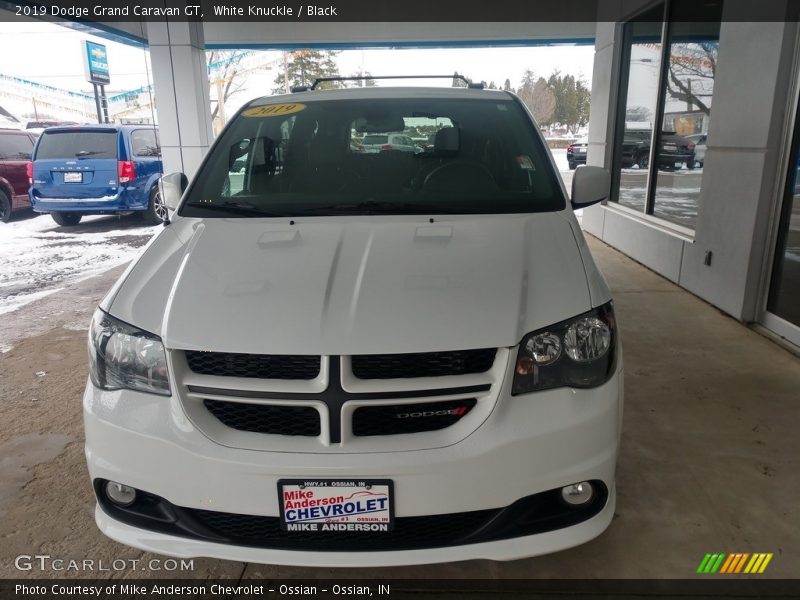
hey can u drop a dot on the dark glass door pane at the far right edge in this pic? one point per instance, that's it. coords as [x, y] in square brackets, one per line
[784, 297]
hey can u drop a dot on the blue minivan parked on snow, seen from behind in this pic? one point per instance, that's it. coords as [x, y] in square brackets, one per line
[97, 169]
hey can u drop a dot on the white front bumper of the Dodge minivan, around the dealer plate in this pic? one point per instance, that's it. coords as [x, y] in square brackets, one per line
[529, 444]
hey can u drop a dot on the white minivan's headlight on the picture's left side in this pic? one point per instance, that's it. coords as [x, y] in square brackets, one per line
[123, 356]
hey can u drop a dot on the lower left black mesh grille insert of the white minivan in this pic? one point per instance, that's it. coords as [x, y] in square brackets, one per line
[266, 418]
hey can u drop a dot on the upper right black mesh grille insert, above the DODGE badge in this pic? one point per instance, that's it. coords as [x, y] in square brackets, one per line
[422, 364]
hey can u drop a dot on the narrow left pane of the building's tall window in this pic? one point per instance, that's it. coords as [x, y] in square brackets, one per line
[640, 107]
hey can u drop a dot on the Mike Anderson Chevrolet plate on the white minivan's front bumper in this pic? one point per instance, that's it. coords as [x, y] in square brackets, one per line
[330, 505]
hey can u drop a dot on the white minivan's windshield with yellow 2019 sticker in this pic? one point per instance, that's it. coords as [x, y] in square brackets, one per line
[377, 156]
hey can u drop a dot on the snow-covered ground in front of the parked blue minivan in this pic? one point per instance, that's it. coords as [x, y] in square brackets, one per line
[38, 257]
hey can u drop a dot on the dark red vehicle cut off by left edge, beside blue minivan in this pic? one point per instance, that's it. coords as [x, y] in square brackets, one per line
[16, 147]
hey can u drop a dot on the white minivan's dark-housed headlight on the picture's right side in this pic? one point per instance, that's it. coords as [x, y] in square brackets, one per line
[578, 352]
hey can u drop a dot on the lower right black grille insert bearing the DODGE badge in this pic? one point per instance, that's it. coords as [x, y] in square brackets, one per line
[409, 418]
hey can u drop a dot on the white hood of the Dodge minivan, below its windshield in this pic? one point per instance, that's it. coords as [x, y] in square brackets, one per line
[354, 285]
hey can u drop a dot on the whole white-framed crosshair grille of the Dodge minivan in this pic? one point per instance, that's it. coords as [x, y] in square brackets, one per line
[337, 406]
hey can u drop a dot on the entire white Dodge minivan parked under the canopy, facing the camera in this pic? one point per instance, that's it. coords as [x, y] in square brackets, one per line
[331, 357]
